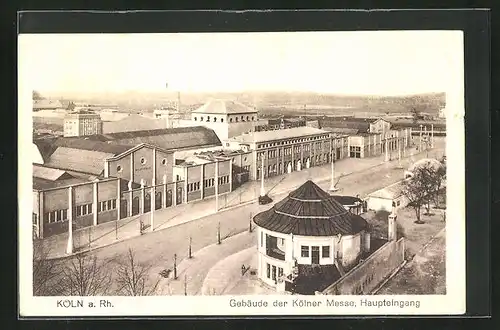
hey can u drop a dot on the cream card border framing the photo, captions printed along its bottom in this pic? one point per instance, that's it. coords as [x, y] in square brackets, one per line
[452, 303]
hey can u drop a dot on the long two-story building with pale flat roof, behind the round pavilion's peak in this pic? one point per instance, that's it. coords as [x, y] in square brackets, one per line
[287, 150]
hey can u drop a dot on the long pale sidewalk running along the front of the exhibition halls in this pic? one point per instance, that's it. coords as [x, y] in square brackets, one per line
[115, 231]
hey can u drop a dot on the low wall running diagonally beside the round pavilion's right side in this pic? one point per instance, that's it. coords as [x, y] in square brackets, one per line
[365, 277]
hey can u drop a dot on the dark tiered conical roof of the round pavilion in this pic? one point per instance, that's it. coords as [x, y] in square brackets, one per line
[310, 211]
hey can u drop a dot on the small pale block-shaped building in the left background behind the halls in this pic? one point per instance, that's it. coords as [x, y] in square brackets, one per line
[82, 123]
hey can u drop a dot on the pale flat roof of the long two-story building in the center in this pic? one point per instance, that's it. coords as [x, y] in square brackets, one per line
[281, 134]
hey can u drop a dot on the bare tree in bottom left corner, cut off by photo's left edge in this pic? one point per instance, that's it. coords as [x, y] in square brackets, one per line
[45, 271]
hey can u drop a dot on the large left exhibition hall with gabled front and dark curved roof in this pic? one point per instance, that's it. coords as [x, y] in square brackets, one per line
[110, 177]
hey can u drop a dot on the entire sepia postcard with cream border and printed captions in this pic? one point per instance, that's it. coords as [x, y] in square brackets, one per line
[313, 169]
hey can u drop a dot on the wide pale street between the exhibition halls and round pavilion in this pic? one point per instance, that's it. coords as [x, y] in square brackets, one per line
[159, 247]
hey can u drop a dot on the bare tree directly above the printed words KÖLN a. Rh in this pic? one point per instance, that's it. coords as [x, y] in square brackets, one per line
[84, 275]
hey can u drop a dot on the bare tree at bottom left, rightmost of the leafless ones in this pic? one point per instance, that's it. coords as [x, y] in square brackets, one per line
[132, 277]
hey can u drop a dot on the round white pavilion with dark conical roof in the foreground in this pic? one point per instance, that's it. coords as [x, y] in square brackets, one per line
[307, 234]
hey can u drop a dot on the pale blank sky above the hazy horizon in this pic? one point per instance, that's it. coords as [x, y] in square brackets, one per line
[382, 63]
